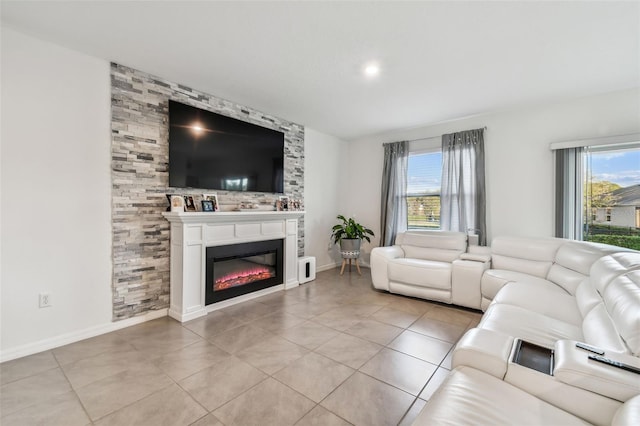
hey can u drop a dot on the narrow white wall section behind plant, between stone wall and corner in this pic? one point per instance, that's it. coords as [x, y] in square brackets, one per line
[324, 193]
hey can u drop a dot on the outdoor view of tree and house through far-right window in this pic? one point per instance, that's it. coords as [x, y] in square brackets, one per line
[612, 196]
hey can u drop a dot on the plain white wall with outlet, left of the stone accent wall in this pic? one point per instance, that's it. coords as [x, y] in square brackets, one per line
[55, 180]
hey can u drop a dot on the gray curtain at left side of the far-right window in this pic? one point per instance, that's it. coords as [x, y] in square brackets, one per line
[569, 178]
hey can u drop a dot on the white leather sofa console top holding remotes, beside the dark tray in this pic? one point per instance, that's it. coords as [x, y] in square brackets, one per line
[574, 368]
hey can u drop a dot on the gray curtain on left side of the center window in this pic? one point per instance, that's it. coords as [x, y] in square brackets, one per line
[394, 191]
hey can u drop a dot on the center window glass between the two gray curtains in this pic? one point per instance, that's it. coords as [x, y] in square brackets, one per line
[424, 177]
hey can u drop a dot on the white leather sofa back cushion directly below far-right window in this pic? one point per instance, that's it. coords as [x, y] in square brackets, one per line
[573, 262]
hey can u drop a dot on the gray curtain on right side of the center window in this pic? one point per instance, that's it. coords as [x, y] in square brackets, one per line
[463, 196]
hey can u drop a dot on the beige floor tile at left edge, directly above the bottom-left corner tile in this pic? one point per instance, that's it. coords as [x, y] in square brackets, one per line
[31, 390]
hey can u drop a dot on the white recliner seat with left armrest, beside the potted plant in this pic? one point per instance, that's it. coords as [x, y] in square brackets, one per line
[419, 264]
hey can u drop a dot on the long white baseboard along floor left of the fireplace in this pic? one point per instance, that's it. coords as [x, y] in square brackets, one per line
[76, 336]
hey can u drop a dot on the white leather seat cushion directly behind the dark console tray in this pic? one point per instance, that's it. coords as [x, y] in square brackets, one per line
[527, 325]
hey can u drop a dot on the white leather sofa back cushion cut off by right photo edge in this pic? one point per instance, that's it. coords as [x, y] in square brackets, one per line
[622, 300]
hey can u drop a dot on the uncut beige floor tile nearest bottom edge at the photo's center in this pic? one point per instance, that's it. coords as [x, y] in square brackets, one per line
[314, 376]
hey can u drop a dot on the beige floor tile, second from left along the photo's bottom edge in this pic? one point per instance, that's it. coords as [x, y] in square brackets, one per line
[168, 407]
